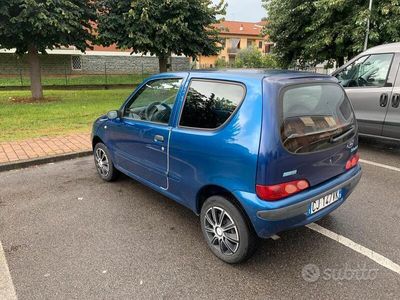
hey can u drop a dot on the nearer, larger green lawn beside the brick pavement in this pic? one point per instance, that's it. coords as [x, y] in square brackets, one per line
[64, 112]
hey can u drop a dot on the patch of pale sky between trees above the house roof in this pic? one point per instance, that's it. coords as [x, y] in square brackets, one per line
[244, 10]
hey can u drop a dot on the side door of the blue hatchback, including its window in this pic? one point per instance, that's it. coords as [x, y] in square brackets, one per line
[139, 139]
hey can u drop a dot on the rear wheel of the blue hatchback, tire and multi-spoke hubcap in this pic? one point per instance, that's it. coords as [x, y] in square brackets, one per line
[232, 240]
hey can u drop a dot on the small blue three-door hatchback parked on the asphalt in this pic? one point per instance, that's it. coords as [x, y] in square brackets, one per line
[252, 152]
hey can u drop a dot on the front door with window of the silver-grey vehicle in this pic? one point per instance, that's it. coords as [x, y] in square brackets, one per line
[368, 82]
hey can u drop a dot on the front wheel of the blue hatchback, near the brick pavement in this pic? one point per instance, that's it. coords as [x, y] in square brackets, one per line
[104, 164]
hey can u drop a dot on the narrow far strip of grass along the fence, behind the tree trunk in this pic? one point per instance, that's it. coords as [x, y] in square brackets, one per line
[100, 79]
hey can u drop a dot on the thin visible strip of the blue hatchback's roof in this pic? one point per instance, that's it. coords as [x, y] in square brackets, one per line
[257, 74]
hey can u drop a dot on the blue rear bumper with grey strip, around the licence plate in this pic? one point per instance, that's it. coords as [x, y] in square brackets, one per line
[269, 218]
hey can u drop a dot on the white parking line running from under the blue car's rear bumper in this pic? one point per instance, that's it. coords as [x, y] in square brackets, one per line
[376, 257]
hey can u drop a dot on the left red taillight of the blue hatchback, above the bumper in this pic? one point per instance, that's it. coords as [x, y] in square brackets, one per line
[282, 190]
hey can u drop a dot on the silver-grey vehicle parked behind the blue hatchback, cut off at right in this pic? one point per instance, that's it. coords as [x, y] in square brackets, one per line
[372, 83]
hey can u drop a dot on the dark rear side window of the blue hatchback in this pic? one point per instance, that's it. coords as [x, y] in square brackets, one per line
[209, 104]
